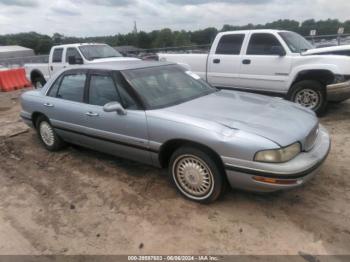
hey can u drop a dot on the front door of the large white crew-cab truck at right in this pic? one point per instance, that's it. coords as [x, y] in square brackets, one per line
[265, 65]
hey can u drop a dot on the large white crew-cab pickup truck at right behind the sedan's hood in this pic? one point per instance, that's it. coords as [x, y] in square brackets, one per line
[271, 62]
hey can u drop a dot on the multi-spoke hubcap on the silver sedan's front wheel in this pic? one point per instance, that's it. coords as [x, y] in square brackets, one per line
[193, 177]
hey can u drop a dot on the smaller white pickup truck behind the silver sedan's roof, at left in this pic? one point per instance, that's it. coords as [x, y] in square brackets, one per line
[63, 56]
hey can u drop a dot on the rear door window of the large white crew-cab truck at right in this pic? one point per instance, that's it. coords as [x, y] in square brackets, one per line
[230, 45]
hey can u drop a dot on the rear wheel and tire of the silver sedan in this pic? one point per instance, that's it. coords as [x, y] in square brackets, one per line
[47, 135]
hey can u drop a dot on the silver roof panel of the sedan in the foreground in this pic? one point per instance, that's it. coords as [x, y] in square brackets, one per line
[122, 65]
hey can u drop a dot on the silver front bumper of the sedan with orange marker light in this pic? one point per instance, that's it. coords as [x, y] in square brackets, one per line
[248, 175]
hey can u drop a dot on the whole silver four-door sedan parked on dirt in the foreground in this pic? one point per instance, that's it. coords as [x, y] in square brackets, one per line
[162, 115]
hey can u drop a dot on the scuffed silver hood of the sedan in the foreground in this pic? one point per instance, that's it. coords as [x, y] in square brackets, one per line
[275, 119]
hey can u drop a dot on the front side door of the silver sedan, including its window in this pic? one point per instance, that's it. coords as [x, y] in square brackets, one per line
[121, 135]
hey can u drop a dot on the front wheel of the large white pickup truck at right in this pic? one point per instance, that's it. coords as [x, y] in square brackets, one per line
[310, 94]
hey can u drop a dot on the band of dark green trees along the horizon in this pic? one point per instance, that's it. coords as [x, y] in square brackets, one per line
[166, 37]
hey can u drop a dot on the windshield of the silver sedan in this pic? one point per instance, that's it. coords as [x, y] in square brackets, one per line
[164, 86]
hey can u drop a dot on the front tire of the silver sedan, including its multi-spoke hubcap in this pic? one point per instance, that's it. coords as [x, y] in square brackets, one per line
[188, 169]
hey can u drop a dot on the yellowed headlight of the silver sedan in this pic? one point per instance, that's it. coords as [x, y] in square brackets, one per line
[278, 155]
